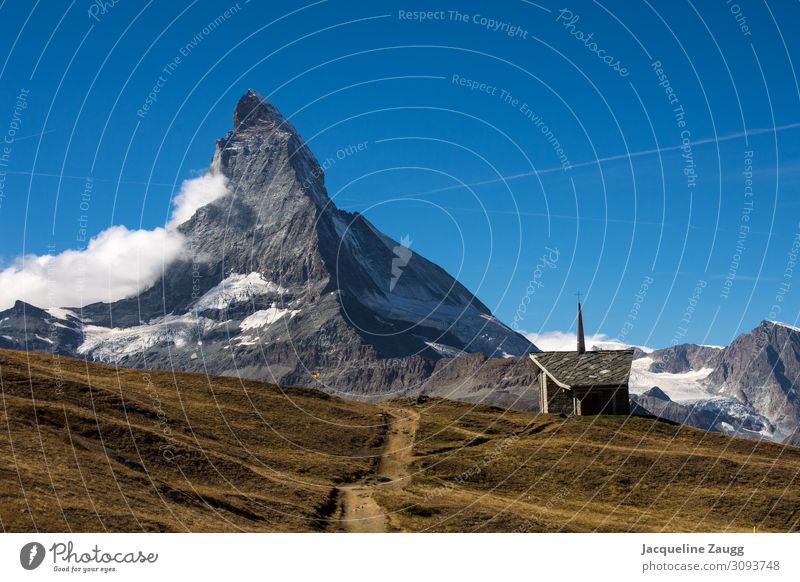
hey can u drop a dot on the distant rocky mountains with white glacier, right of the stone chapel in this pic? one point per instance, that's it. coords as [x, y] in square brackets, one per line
[749, 387]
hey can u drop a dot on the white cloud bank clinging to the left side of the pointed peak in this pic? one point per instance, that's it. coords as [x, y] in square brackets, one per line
[117, 263]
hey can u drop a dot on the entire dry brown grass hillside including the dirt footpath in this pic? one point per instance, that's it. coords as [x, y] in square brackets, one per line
[85, 447]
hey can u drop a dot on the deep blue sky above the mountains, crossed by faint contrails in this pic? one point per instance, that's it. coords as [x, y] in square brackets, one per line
[451, 110]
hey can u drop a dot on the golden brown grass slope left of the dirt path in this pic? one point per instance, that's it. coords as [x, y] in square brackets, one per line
[130, 450]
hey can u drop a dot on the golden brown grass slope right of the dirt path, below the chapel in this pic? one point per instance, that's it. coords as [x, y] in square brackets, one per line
[485, 469]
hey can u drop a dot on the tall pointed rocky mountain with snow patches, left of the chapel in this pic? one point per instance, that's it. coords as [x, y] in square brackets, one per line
[278, 284]
